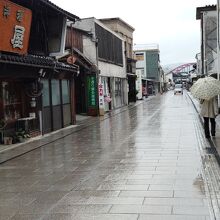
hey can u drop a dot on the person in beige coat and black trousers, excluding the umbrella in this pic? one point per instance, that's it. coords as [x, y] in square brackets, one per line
[209, 111]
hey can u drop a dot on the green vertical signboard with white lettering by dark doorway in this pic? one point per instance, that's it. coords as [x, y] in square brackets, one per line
[92, 94]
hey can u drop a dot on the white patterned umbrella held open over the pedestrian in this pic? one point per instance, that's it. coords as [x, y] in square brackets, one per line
[205, 88]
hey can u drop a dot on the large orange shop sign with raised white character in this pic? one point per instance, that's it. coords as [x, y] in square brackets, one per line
[15, 23]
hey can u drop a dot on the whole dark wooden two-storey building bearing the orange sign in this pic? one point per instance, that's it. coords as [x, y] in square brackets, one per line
[36, 91]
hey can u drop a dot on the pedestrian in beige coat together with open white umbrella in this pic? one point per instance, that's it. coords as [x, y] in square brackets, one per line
[207, 90]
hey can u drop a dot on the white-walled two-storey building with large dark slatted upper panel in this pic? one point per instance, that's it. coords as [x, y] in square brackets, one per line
[107, 51]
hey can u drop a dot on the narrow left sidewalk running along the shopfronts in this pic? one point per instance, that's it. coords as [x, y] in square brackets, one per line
[8, 152]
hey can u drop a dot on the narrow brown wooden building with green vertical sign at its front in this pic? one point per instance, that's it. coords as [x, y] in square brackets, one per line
[86, 94]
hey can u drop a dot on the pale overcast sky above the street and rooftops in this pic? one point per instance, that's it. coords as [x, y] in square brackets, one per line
[171, 24]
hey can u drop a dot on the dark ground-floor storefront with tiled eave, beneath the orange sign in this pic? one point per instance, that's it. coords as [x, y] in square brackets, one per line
[35, 99]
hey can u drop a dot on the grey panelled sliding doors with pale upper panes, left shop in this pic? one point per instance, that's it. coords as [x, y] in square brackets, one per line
[56, 104]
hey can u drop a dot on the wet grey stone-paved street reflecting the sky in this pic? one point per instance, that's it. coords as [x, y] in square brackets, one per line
[146, 163]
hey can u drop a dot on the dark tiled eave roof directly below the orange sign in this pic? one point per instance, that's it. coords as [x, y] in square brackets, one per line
[37, 61]
